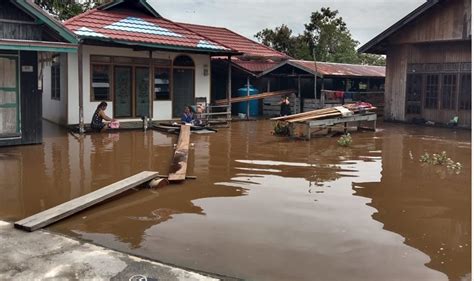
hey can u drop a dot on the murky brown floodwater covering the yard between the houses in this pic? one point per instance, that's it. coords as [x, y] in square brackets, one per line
[263, 207]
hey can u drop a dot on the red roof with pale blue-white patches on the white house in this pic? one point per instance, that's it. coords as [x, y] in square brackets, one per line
[134, 27]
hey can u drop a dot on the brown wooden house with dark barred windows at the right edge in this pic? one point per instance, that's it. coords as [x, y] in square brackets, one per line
[428, 74]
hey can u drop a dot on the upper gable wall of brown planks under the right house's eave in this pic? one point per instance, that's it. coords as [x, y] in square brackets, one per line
[451, 20]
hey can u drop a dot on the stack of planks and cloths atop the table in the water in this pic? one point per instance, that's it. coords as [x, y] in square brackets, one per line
[324, 113]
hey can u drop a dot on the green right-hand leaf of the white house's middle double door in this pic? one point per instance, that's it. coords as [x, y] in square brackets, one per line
[142, 93]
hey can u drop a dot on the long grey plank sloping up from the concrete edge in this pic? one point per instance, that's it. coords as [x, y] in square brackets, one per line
[73, 206]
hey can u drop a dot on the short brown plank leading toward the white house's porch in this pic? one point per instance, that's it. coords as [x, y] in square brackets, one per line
[180, 159]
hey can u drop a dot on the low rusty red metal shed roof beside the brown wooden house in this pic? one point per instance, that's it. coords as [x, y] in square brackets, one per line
[340, 69]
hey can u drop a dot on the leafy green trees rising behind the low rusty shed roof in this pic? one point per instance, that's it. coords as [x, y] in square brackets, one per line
[326, 34]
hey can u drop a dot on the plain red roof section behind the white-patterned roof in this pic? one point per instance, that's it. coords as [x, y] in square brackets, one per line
[235, 41]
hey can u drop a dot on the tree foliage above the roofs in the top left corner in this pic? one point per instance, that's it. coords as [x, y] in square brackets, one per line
[65, 9]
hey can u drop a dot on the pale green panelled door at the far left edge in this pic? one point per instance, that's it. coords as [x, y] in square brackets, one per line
[9, 97]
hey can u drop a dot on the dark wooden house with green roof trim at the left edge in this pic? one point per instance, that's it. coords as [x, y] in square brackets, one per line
[26, 33]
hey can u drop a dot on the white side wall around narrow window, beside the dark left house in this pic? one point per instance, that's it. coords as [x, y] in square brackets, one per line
[56, 110]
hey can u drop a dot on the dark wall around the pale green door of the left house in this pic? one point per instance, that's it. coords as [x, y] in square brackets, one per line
[31, 103]
